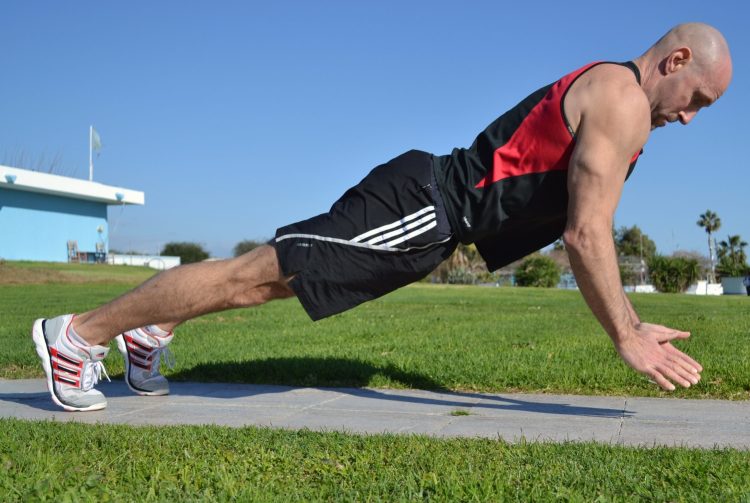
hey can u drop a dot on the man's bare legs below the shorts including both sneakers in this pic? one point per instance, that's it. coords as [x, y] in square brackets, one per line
[72, 347]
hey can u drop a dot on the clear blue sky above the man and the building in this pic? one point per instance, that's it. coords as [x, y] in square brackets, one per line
[238, 117]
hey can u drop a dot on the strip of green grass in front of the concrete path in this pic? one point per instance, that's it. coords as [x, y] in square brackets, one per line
[73, 462]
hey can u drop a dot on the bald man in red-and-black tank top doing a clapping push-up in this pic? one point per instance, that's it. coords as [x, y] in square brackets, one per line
[553, 165]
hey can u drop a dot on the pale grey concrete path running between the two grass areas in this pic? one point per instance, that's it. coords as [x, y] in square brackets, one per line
[616, 420]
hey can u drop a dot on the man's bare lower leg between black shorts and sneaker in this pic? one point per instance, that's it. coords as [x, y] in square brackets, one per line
[186, 292]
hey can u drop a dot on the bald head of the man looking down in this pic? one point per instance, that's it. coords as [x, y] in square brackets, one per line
[687, 69]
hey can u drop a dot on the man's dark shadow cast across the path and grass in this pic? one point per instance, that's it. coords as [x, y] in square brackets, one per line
[276, 375]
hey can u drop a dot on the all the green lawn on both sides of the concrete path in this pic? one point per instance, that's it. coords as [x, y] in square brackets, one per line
[465, 338]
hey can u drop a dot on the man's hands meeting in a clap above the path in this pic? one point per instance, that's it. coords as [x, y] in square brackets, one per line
[649, 351]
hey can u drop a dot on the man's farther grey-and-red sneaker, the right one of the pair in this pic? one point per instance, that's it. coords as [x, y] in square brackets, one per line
[143, 351]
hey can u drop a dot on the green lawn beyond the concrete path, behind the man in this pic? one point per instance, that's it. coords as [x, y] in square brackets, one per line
[464, 338]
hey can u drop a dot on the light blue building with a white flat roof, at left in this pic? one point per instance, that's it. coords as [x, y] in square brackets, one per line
[56, 218]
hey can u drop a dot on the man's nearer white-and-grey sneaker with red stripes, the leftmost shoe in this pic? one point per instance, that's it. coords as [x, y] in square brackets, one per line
[72, 368]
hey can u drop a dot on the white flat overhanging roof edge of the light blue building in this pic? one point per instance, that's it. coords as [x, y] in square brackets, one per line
[33, 181]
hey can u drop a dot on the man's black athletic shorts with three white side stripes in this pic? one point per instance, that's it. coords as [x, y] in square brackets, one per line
[389, 230]
